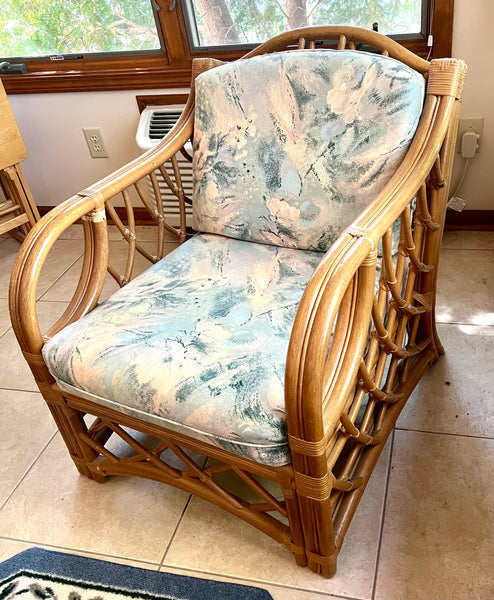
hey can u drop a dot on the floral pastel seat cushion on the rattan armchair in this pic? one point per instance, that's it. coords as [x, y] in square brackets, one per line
[197, 344]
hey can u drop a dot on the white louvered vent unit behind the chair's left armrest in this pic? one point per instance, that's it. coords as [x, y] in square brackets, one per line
[154, 124]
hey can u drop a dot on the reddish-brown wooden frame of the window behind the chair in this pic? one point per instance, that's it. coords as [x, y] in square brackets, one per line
[172, 69]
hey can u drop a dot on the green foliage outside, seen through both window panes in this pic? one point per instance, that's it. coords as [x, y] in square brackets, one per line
[50, 27]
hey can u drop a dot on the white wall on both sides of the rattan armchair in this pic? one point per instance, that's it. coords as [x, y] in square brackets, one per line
[59, 163]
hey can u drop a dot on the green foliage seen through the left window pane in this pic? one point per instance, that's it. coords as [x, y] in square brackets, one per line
[50, 27]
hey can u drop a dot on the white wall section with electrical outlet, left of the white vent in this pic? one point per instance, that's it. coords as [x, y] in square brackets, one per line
[59, 164]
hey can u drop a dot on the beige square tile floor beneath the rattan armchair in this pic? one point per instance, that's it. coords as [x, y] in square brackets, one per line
[424, 529]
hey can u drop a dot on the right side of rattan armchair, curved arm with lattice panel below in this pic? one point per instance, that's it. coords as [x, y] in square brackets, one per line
[365, 330]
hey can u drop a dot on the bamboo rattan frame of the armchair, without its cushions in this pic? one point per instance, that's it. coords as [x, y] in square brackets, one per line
[350, 347]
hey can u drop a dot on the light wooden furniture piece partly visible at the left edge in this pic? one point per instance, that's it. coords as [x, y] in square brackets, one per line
[18, 212]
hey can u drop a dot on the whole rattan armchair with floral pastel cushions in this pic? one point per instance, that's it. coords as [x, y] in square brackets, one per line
[352, 332]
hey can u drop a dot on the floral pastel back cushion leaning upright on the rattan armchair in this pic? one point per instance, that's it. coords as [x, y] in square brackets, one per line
[290, 147]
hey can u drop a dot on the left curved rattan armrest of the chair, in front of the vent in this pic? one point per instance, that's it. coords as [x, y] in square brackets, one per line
[90, 206]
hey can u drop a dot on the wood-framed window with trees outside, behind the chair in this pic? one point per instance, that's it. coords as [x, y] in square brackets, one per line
[87, 45]
